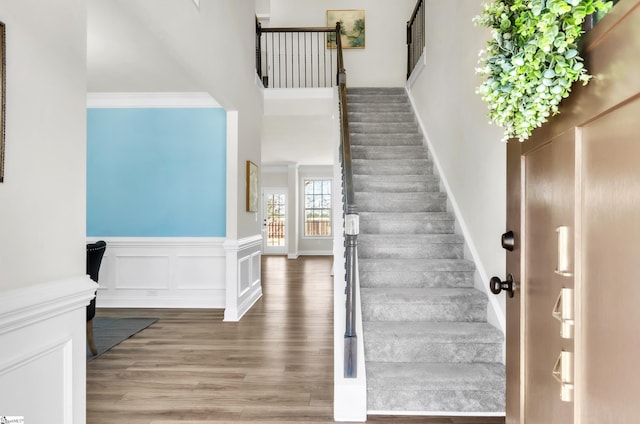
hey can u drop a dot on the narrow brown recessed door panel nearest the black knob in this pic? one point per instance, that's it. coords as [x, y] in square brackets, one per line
[549, 204]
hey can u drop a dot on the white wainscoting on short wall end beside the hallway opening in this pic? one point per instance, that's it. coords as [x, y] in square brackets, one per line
[244, 284]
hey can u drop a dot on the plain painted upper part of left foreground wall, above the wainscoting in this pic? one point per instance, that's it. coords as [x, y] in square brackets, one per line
[42, 199]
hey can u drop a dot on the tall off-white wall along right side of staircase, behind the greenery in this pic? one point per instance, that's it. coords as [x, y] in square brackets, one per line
[467, 148]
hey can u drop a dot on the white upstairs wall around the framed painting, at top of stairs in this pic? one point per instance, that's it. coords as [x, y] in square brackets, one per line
[383, 61]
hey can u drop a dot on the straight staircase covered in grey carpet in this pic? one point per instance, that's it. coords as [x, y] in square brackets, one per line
[428, 346]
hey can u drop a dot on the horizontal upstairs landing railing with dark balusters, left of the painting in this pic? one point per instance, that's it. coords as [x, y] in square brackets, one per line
[296, 57]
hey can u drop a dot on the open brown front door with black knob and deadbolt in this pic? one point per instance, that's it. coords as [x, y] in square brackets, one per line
[574, 206]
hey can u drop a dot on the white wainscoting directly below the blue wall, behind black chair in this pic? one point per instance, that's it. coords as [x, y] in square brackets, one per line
[163, 272]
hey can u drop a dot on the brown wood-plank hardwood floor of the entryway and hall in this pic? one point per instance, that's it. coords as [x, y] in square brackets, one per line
[275, 365]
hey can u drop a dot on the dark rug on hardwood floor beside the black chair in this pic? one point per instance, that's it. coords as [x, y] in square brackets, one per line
[109, 332]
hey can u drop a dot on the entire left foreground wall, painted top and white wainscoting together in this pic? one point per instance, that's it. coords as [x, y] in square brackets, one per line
[43, 286]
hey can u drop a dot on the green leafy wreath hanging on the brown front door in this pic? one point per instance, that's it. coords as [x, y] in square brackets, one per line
[532, 60]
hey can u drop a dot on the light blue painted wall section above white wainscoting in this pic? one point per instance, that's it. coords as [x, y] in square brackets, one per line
[156, 172]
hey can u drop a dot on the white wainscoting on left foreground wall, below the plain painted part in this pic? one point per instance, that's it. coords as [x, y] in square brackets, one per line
[43, 351]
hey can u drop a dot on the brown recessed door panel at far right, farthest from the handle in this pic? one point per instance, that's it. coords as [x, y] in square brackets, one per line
[610, 384]
